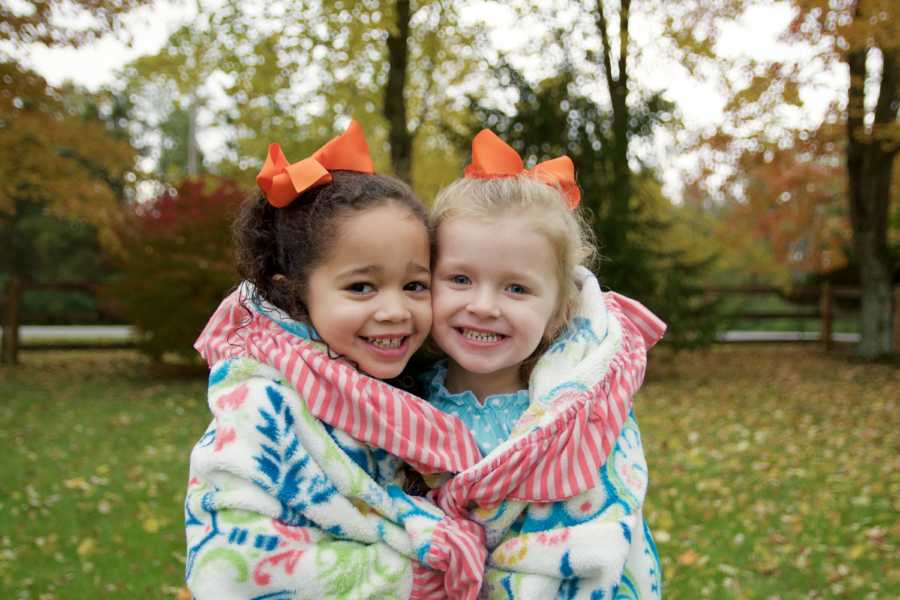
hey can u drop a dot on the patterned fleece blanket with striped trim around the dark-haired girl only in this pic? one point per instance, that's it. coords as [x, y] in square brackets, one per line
[292, 490]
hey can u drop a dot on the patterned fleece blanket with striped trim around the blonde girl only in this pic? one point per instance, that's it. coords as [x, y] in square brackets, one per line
[561, 499]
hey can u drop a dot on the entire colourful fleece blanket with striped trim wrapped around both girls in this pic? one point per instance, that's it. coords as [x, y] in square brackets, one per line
[292, 491]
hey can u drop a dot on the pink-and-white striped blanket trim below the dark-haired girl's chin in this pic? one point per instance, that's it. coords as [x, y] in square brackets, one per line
[368, 409]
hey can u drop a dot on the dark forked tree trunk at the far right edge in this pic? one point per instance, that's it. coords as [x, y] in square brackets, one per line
[869, 168]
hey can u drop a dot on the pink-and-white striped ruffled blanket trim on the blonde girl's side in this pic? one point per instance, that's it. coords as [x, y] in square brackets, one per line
[563, 459]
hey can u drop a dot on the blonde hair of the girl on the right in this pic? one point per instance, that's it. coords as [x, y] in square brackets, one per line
[566, 230]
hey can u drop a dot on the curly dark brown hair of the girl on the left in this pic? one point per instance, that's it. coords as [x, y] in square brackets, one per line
[278, 248]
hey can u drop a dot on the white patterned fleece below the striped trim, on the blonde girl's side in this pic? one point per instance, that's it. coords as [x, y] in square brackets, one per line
[594, 542]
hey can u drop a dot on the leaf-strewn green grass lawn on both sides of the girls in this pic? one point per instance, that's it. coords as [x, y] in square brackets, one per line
[775, 472]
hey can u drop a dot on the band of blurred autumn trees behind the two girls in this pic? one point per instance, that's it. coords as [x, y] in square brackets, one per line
[771, 195]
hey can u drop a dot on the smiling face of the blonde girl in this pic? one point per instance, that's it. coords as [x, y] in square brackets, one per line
[494, 291]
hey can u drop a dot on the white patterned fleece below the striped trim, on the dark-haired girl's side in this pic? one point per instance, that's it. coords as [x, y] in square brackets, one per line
[280, 503]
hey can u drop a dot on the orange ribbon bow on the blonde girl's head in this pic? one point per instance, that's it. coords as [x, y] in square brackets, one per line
[493, 158]
